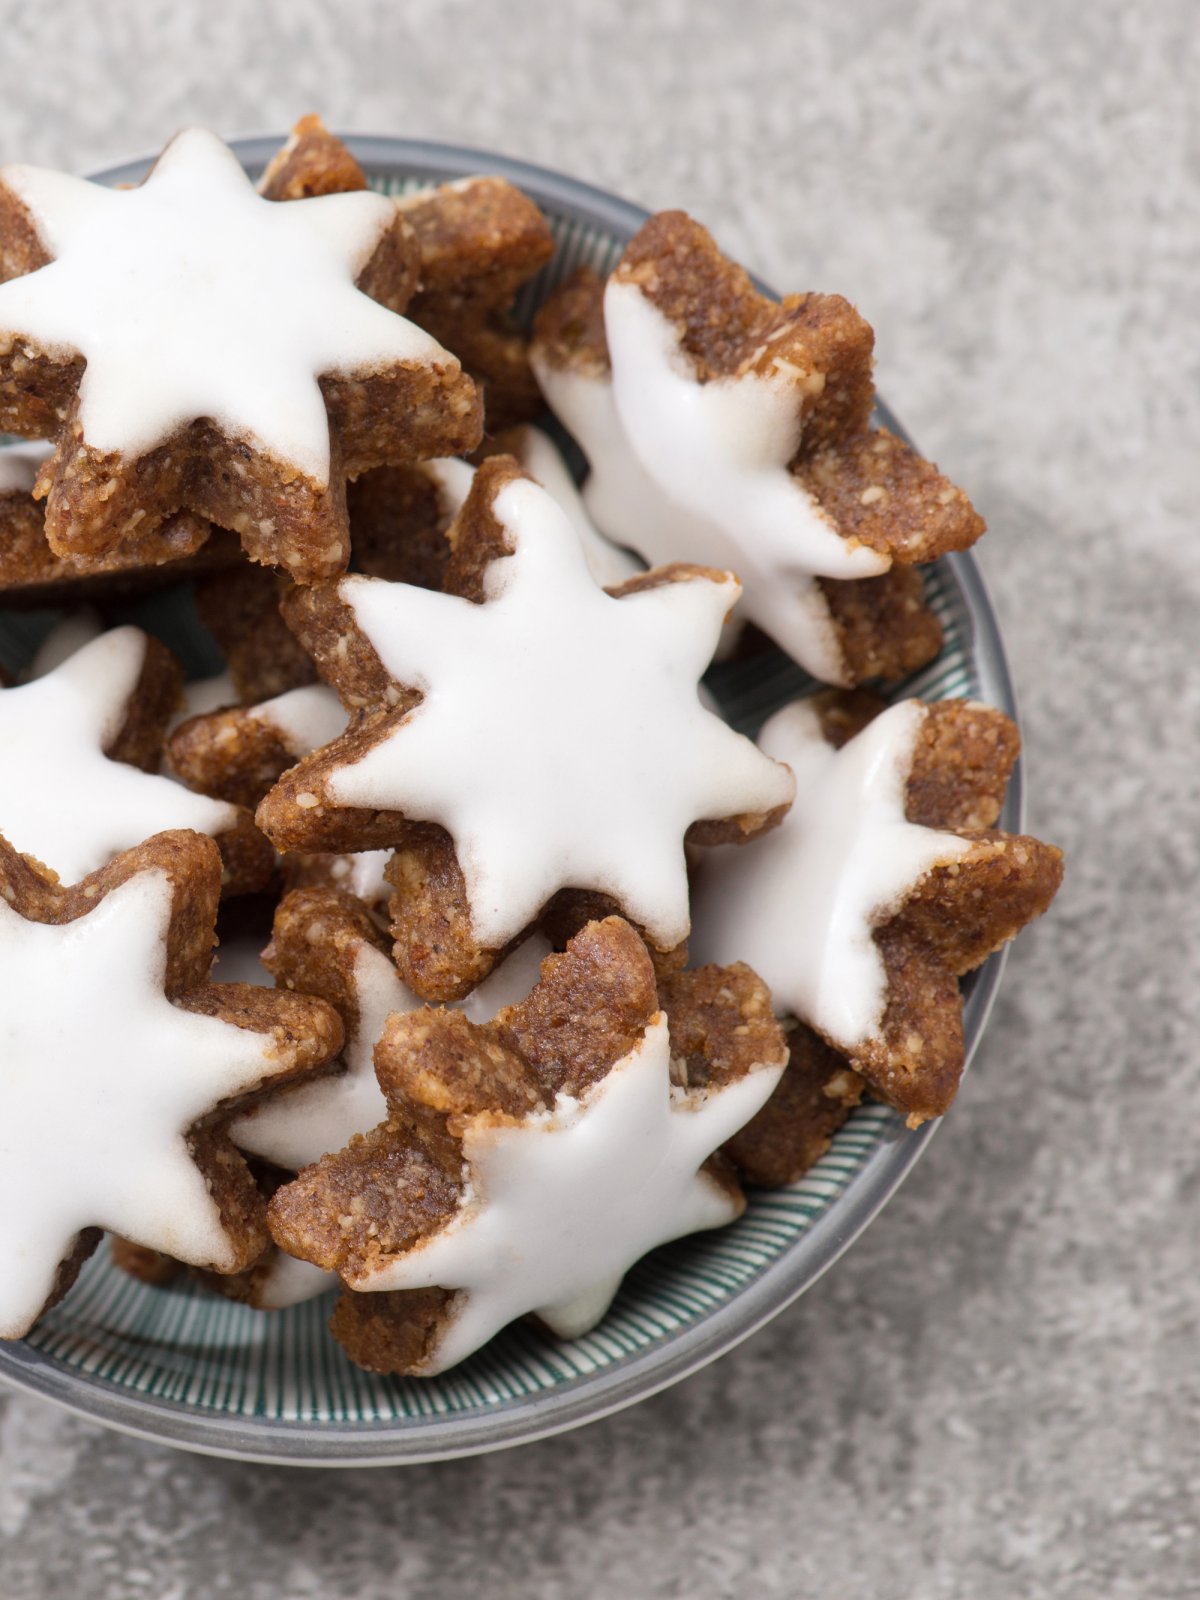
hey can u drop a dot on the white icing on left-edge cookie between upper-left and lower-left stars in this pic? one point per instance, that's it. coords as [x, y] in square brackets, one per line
[62, 799]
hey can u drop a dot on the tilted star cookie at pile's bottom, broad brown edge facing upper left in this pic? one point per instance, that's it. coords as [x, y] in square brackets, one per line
[529, 1162]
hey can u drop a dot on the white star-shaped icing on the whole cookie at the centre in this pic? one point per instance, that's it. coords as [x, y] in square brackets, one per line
[561, 740]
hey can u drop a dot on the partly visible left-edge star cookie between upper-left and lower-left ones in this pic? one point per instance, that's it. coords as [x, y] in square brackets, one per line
[81, 782]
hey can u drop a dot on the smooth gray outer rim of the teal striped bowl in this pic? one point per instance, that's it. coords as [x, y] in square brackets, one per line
[588, 1399]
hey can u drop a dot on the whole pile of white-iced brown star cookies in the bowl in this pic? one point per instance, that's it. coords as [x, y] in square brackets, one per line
[449, 950]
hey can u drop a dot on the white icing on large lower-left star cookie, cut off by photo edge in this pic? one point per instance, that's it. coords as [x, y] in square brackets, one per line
[100, 1081]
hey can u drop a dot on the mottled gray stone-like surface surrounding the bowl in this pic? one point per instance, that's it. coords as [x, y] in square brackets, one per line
[998, 1393]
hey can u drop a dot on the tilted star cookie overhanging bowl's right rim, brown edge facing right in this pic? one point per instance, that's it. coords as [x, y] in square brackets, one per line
[884, 886]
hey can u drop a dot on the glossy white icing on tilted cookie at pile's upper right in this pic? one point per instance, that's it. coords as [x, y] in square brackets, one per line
[698, 473]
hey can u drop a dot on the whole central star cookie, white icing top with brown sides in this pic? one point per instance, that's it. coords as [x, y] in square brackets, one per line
[575, 705]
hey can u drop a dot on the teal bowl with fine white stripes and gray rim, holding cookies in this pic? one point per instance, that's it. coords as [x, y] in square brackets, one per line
[194, 1370]
